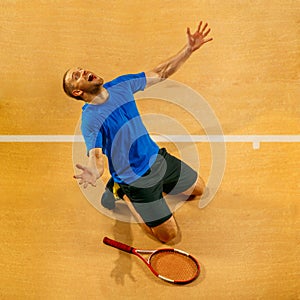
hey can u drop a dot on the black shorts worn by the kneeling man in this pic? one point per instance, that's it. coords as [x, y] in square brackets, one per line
[168, 174]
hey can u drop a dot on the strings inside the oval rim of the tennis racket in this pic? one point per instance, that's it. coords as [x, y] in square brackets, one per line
[174, 265]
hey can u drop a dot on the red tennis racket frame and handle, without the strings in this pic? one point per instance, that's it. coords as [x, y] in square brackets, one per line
[134, 251]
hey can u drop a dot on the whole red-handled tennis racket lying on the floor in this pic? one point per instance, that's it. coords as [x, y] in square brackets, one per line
[171, 265]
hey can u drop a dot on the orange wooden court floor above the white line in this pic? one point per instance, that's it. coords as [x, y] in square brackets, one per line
[249, 73]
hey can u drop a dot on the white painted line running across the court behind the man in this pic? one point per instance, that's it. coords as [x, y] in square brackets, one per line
[254, 139]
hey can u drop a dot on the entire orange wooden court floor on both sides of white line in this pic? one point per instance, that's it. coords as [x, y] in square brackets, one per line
[246, 239]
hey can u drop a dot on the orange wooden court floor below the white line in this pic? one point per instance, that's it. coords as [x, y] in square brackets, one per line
[247, 239]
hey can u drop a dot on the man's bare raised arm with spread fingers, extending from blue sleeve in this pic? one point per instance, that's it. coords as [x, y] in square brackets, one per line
[171, 65]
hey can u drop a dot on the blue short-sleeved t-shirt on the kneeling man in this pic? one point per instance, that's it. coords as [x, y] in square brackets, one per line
[117, 128]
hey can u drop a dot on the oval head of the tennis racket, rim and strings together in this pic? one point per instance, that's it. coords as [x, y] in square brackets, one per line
[174, 266]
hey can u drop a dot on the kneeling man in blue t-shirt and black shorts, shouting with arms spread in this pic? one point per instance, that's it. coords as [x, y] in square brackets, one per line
[111, 125]
